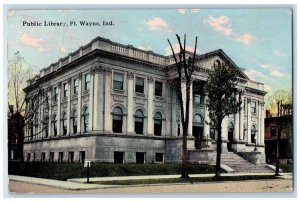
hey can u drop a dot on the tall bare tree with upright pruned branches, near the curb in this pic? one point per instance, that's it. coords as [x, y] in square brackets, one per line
[185, 68]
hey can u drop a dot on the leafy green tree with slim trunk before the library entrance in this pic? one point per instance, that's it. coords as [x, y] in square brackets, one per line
[221, 100]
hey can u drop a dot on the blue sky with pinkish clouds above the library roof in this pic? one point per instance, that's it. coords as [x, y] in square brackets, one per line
[257, 40]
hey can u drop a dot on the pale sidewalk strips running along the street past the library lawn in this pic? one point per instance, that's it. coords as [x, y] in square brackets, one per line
[80, 183]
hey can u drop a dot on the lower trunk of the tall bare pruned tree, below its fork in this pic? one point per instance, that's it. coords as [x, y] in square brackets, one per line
[184, 162]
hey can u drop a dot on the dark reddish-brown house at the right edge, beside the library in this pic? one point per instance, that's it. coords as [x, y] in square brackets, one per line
[272, 125]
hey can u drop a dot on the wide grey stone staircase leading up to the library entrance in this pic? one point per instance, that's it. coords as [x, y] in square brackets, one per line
[240, 165]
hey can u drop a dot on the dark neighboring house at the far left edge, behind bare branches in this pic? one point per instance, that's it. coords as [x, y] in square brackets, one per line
[15, 135]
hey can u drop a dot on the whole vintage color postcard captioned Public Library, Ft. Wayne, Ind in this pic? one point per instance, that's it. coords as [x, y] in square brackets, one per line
[192, 100]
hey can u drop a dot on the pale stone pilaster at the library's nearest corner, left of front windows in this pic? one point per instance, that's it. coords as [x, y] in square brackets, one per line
[107, 101]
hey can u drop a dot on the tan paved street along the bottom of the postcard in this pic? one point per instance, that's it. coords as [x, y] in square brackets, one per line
[278, 185]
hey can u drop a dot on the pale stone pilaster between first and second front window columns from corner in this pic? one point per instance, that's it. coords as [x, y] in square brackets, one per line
[130, 121]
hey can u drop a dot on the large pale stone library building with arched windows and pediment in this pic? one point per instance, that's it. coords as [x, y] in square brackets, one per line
[114, 103]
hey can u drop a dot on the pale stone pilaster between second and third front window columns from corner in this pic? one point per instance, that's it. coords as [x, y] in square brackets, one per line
[150, 124]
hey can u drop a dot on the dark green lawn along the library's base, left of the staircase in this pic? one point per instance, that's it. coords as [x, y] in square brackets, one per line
[64, 171]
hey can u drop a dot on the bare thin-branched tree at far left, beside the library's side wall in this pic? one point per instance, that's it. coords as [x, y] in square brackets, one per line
[24, 109]
